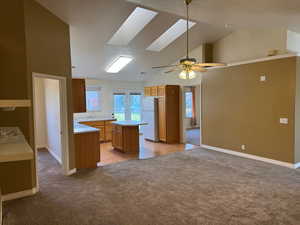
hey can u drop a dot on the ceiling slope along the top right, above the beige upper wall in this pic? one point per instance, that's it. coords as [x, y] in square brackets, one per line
[238, 13]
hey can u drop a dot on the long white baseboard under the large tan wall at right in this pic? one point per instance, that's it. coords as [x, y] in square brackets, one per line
[245, 155]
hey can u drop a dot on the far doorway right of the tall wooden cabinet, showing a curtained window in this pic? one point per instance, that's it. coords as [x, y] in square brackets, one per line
[191, 95]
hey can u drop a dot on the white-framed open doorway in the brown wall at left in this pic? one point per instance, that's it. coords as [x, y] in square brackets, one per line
[50, 119]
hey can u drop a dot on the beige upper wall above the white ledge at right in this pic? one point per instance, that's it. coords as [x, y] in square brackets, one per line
[251, 44]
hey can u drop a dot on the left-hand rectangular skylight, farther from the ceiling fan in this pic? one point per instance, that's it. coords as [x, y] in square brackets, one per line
[134, 24]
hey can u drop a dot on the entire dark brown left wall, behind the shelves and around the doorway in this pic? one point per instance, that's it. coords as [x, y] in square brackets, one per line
[32, 40]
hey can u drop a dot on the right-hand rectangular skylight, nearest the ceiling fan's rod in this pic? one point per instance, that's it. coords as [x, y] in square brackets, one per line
[170, 35]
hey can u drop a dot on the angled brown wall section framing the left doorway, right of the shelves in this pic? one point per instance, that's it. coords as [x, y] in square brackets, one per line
[48, 52]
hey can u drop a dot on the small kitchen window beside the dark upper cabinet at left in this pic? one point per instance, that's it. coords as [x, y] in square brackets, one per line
[93, 99]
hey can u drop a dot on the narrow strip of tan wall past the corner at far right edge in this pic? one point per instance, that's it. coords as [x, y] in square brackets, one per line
[297, 114]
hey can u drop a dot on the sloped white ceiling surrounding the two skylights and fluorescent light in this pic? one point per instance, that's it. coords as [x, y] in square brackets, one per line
[94, 22]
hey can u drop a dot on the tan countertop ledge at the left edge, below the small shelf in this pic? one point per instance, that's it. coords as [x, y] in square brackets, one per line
[13, 145]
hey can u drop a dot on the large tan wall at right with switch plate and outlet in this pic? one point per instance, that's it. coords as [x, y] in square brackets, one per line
[238, 109]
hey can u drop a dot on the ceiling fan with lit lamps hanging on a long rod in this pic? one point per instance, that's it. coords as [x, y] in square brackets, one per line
[189, 66]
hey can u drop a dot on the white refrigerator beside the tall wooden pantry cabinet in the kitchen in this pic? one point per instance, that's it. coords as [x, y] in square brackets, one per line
[150, 116]
